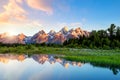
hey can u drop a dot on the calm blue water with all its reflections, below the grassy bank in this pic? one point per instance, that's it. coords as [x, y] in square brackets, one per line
[46, 67]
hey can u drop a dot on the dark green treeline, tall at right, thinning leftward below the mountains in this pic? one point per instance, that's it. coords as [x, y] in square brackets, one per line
[101, 39]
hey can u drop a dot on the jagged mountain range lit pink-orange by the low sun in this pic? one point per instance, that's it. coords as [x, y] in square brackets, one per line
[43, 37]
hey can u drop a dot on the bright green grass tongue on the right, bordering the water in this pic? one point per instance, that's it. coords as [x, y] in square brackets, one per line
[106, 61]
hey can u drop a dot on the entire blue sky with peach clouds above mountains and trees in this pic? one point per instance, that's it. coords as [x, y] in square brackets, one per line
[31, 16]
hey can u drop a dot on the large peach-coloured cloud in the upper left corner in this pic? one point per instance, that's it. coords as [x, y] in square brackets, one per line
[12, 11]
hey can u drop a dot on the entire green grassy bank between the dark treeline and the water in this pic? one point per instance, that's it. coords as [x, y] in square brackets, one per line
[95, 56]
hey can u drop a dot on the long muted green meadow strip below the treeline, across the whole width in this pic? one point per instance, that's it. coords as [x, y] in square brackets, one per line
[57, 50]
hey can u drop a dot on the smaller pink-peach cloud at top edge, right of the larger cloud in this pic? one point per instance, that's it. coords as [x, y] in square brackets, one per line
[43, 5]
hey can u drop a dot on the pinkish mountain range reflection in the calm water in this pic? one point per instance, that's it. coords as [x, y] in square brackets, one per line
[41, 58]
